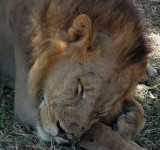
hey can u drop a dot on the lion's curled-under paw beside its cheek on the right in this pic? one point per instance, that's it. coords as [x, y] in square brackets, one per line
[126, 118]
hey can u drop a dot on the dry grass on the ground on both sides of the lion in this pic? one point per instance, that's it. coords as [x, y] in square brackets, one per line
[18, 137]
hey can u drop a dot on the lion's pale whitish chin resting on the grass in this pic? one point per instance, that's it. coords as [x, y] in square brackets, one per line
[49, 138]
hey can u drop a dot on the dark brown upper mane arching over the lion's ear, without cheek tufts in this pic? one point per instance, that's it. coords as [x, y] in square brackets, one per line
[125, 28]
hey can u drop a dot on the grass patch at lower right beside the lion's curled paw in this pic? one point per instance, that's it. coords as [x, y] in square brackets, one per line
[149, 137]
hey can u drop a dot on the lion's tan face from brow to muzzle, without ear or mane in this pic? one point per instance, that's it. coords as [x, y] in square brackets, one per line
[75, 97]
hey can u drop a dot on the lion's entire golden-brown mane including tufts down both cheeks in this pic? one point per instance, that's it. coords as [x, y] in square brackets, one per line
[51, 22]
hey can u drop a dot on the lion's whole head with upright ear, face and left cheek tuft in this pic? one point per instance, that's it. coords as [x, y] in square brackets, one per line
[80, 86]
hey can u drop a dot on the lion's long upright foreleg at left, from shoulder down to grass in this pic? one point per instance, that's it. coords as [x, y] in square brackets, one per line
[24, 109]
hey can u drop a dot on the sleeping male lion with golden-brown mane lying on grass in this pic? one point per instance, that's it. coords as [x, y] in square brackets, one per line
[80, 60]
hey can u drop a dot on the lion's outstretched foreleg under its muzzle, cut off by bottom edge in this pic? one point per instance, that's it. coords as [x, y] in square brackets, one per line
[101, 137]
